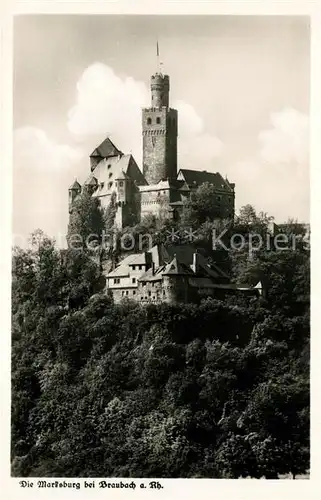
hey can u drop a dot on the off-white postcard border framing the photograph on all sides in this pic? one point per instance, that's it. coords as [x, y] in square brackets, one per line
[202, 488]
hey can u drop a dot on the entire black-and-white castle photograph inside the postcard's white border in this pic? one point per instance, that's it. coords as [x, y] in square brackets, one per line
[160, 304]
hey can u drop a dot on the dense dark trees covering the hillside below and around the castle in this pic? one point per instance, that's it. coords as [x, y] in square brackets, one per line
[219, 389]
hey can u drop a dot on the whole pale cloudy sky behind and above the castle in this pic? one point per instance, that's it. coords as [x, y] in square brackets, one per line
[240, 84]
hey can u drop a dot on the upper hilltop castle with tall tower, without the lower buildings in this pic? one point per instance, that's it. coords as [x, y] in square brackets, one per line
[158, 189]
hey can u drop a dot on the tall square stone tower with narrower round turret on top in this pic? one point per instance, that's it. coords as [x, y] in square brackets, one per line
[159, 133]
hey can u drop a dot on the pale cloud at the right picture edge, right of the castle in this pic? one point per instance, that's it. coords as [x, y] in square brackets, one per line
[277, 179]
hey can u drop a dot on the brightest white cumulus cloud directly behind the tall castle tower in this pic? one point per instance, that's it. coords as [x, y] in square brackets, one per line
[110, 105]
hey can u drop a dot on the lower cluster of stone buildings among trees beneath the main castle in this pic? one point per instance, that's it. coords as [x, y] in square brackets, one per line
[171, 274]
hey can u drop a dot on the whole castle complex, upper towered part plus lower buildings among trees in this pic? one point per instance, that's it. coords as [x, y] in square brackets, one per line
[161, 274]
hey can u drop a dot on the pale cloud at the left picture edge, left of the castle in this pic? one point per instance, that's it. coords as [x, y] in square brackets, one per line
[41, 175]
